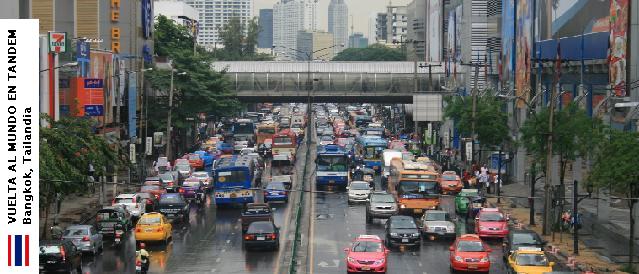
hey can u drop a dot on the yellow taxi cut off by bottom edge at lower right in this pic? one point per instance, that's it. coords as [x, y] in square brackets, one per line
[529, 260]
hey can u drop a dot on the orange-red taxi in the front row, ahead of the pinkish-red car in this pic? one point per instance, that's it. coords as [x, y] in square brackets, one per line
[469, 253]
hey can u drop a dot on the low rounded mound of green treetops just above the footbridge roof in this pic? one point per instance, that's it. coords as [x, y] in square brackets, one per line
[374, 52]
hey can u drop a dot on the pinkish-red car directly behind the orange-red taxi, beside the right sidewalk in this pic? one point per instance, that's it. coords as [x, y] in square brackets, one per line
[491, 223]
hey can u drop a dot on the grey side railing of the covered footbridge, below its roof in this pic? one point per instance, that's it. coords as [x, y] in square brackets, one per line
[338, 82]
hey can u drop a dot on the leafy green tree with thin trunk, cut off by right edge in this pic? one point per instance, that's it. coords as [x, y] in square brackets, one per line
[615, 168]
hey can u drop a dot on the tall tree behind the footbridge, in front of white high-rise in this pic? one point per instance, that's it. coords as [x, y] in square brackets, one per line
[239, 41]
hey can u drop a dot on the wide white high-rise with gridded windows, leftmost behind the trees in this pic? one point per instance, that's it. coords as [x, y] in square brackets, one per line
[214, 14]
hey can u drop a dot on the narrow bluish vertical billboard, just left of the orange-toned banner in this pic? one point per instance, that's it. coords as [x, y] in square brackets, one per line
[507, 57]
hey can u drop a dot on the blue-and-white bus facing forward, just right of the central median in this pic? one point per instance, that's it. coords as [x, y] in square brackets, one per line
[332, 166]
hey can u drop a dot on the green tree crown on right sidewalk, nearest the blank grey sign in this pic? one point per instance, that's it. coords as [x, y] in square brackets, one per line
[491, 122]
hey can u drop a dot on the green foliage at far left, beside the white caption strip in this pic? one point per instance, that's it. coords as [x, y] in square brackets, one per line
[66, 149]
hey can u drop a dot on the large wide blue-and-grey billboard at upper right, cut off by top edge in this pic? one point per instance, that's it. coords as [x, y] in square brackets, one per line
[567, 18]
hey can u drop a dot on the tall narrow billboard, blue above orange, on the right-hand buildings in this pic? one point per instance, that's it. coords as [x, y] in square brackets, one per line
[523, 49]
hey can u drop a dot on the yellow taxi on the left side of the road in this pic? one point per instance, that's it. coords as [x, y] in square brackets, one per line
[153, 227]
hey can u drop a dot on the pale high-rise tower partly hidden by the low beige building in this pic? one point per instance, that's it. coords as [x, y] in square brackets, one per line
[289, 18]
